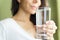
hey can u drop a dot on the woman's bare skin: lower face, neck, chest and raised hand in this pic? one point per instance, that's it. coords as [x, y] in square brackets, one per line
[23, 18]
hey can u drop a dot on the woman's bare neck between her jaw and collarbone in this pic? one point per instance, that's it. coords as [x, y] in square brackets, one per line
[22, 15]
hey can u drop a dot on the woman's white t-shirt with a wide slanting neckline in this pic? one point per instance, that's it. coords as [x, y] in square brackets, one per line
[10, 30]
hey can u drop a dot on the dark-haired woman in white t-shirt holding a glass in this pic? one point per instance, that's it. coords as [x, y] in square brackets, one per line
[22, 25]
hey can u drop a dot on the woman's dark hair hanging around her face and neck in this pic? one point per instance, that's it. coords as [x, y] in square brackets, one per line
[15, 7]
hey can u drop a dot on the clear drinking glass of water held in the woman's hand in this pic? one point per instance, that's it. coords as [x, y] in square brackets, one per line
[42, 15]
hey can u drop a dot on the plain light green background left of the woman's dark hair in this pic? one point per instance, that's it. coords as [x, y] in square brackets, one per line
[5, 7]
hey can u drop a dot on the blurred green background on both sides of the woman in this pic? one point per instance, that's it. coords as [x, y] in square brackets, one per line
[5, 12]
